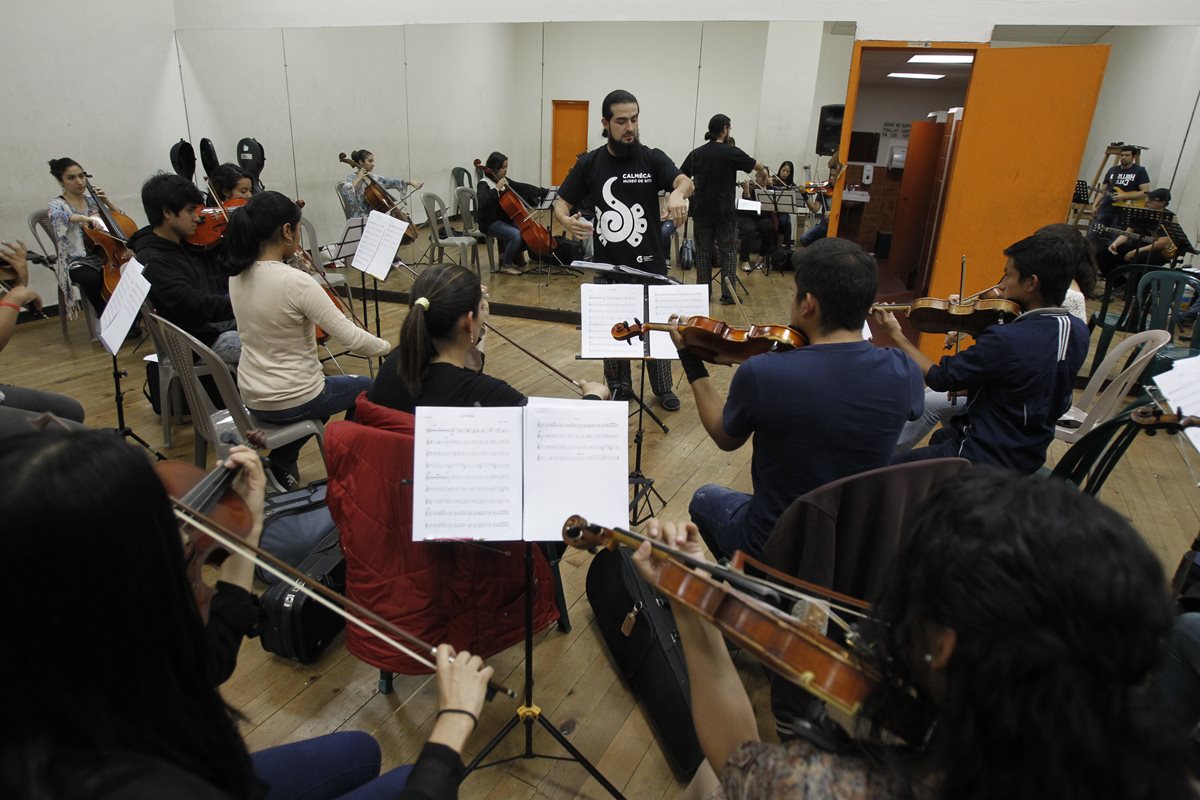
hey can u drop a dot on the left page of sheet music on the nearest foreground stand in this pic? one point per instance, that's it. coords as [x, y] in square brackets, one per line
[467, 474]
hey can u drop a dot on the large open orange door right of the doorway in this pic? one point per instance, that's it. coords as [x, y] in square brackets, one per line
[1025, 125]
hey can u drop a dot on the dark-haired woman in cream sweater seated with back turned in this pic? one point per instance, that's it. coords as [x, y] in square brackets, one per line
[278, 310]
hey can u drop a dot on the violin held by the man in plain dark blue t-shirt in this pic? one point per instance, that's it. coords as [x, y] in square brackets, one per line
[717, 342]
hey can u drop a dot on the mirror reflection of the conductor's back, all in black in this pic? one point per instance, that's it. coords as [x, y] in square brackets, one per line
[715, 167]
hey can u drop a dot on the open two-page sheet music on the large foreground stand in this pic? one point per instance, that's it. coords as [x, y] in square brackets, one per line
[508, 474]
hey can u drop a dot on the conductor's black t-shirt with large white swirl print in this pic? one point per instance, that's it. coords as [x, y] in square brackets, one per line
[626, 194]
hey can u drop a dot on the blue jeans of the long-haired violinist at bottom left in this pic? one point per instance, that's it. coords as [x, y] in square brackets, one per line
[344, 765]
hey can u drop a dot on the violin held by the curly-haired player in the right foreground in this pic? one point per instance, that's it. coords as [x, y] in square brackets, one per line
[825, 669]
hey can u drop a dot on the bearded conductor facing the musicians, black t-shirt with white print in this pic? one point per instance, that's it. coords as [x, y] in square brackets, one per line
[623, 181]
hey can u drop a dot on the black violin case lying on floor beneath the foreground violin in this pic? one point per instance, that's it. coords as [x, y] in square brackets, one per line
[641, 637]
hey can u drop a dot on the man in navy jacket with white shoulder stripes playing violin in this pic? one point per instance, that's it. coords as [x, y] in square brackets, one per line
[1018, 377]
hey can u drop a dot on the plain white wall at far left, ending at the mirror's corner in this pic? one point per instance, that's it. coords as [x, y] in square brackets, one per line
[117, 111]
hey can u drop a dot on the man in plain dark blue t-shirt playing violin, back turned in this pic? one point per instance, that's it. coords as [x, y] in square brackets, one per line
[818, 413]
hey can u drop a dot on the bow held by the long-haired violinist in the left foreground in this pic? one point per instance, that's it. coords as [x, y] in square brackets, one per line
[370, 622]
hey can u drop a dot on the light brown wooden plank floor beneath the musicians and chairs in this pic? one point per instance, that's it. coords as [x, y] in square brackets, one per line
[577, 688]
